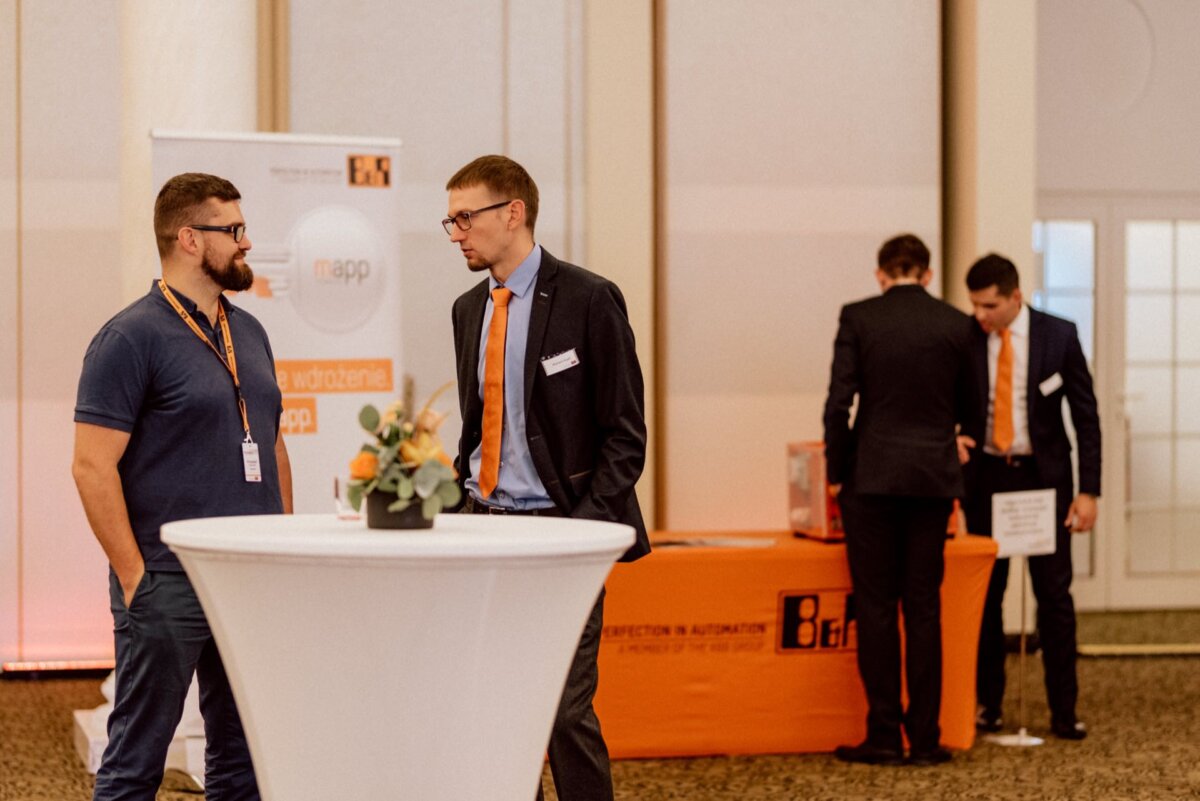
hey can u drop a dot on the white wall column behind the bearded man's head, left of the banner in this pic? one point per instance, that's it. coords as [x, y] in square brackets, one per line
[183, 67]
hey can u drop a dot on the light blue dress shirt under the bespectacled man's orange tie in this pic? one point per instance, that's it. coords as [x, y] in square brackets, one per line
[519, 486]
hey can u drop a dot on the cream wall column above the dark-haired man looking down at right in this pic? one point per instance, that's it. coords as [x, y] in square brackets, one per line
[989, 136]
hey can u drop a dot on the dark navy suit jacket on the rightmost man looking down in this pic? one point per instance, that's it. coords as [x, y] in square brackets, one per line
[1054, 350]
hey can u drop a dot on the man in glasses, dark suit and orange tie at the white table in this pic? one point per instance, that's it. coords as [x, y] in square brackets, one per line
[551, 396]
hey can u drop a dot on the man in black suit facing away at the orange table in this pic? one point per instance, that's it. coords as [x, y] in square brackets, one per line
[905, 356]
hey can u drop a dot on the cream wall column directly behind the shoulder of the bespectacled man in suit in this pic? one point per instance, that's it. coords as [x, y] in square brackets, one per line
[620, 166]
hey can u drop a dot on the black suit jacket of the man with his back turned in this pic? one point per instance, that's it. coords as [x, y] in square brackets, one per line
[907, 357]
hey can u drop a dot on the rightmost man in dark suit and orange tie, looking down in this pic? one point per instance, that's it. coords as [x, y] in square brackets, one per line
[1025, 364]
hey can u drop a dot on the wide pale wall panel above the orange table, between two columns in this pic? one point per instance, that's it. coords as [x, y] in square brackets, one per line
[800, 136]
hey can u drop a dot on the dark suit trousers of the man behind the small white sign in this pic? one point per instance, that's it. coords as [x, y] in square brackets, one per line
[1051, 576]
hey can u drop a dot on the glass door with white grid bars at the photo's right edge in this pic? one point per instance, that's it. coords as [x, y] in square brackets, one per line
[1162, 408]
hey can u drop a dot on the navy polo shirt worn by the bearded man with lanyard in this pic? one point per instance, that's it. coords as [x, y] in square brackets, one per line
[149, 375]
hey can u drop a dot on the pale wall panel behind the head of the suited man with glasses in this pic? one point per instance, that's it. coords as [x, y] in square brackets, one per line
[453, 82]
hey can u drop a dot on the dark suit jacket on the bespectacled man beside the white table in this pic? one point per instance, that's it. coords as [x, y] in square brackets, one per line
[586, 426]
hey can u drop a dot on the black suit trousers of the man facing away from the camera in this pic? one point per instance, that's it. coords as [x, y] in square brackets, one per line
[896, 546]
